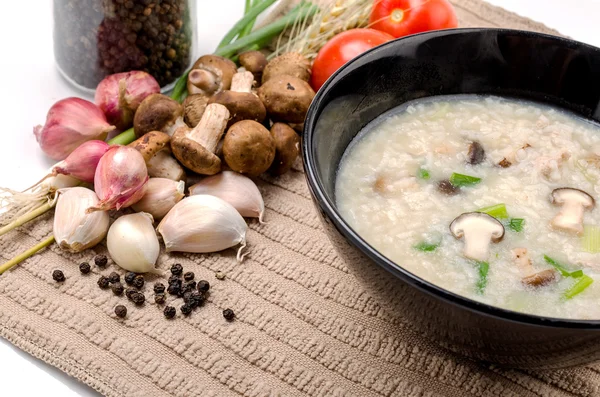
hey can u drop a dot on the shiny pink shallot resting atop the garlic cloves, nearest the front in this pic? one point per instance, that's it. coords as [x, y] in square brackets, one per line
[120, 178]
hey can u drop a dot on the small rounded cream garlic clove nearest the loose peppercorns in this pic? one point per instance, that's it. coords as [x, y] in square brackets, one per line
[133, 244]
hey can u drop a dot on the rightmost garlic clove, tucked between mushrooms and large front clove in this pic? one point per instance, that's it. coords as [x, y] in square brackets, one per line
[237, 189]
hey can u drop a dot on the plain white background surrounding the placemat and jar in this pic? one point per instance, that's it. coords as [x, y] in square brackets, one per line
[31, 85]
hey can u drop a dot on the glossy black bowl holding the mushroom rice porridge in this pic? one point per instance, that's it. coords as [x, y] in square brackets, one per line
[538, 67]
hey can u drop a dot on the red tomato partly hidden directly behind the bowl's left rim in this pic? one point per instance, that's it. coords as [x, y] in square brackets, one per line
[342, 48]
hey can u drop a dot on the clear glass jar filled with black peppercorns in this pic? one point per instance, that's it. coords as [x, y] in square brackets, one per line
[96, 38]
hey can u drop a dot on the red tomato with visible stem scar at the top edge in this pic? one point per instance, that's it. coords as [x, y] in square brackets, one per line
[403, 17]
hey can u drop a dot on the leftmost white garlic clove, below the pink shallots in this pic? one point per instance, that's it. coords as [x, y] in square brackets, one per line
[74, 229]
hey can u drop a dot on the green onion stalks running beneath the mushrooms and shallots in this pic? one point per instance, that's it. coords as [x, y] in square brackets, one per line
[239, 37]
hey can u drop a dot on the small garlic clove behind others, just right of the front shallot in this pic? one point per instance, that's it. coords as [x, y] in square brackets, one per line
[161, 195]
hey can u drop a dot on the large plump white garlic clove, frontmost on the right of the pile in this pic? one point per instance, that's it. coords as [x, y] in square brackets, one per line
[203, 223]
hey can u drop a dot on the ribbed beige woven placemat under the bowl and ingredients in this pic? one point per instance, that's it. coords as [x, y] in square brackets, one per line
[304, 326]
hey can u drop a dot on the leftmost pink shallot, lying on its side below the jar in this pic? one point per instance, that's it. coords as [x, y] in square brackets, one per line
[69, 123]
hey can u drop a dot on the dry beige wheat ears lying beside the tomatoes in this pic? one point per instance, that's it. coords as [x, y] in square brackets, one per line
[308, 37]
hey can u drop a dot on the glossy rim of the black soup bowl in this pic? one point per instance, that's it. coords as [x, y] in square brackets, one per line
[329, 208]
